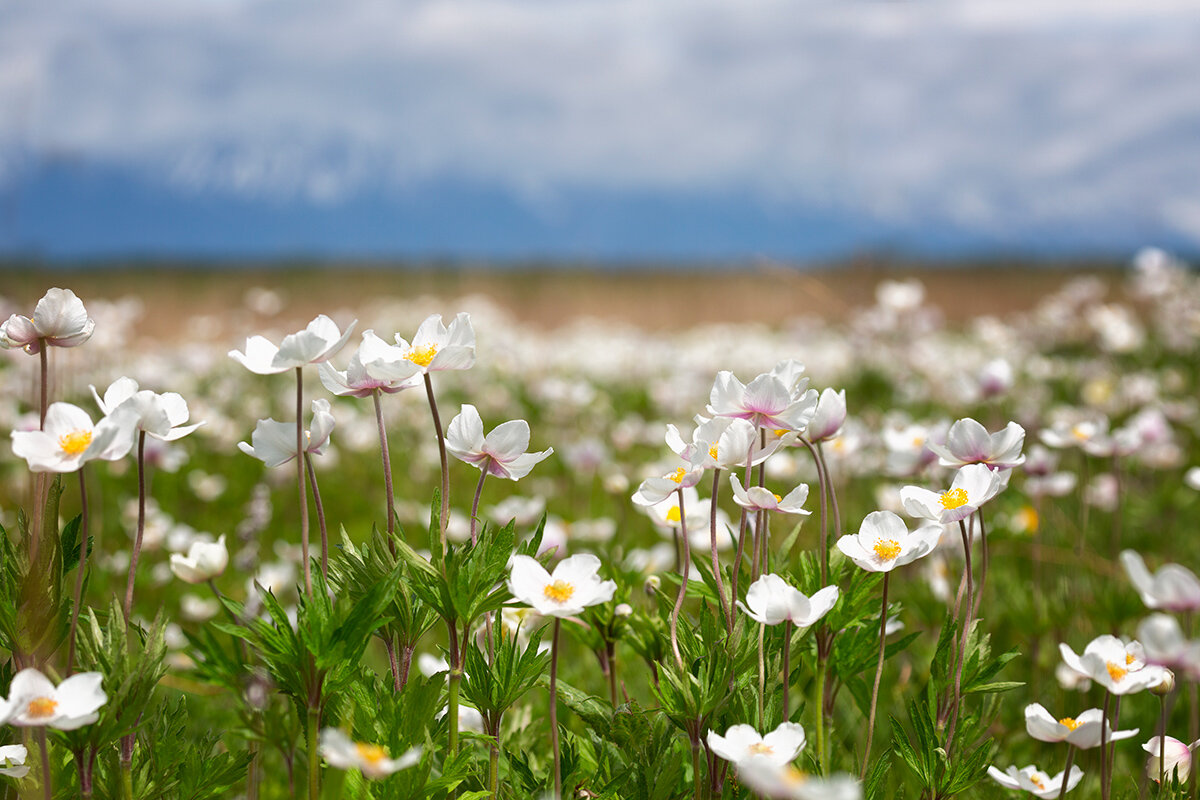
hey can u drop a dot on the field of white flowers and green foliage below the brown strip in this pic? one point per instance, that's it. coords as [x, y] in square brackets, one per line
[944, 560]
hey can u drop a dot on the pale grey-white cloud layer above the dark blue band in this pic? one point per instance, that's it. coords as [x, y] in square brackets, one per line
[987, 115]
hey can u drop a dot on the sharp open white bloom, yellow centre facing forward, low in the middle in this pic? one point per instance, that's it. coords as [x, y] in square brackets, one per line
[573, 587]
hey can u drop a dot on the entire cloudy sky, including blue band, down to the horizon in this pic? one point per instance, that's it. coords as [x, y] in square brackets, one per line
[598, 129]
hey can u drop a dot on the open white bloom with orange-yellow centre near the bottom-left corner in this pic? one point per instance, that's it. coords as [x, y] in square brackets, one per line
[34, 701]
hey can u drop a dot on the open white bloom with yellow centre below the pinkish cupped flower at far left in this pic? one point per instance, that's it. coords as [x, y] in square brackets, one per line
[70, 440]
